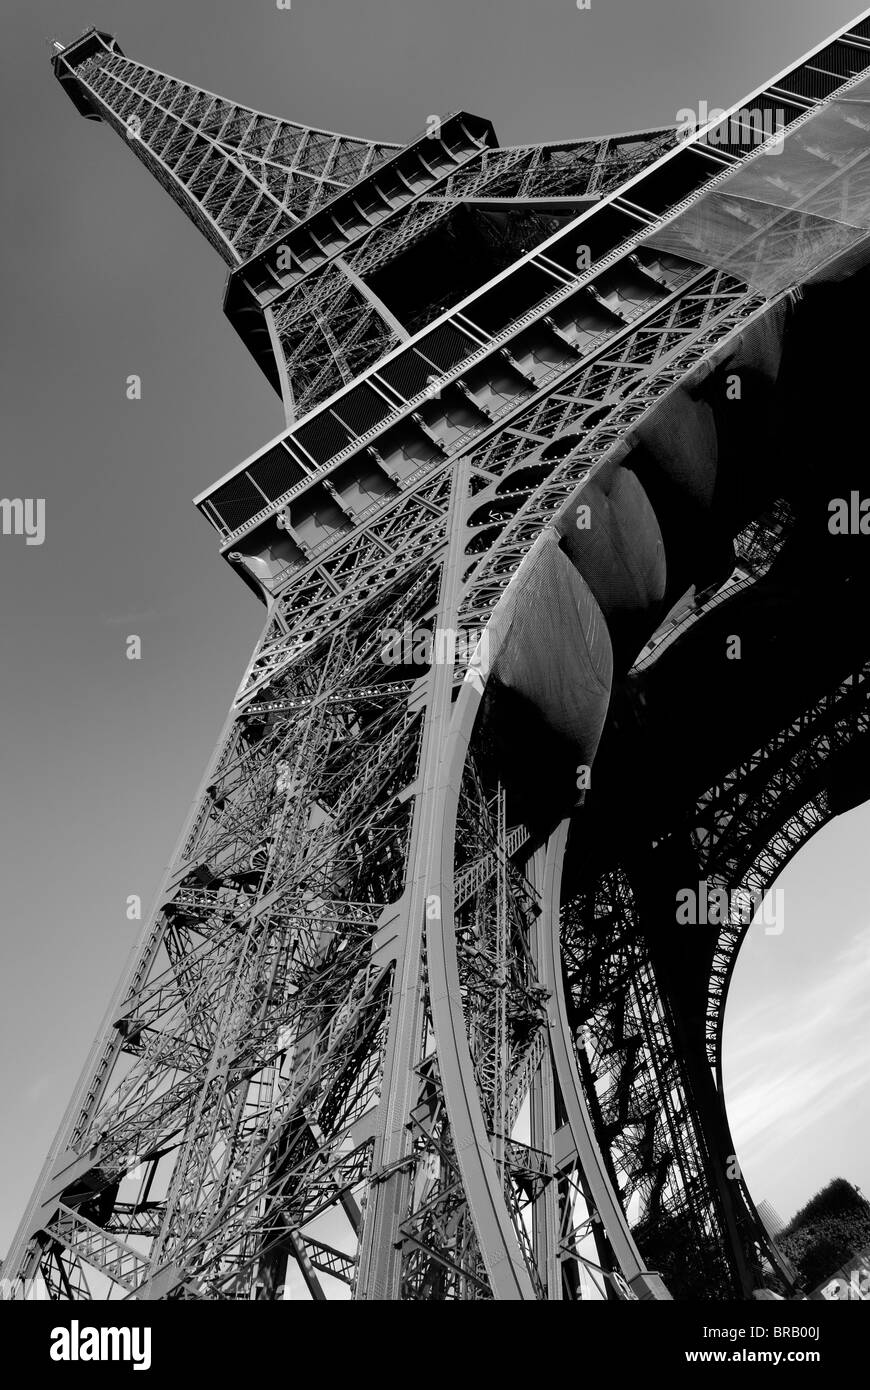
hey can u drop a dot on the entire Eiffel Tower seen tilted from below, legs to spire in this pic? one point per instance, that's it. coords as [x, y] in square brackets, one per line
[558, 628]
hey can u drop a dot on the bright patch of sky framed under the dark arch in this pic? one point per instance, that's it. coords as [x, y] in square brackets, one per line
[797, 1036]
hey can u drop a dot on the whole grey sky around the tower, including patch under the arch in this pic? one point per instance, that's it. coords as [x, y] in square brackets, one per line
[102, 277]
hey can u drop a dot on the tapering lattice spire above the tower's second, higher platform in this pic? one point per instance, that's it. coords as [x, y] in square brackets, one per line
[241, 176]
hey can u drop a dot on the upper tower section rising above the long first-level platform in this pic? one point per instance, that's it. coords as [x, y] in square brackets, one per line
[341, 250]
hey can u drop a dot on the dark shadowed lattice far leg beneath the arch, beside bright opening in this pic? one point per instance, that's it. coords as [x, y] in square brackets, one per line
[630, 1065]
